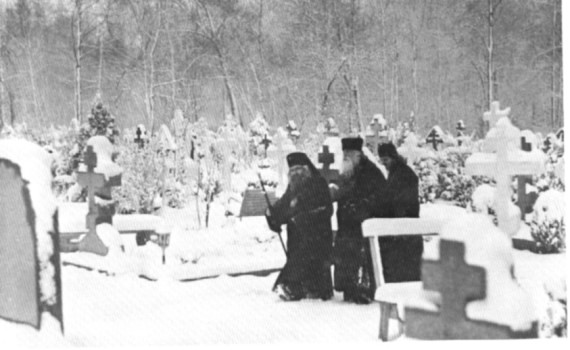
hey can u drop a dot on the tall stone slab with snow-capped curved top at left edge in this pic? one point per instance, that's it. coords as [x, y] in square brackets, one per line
[30, 278]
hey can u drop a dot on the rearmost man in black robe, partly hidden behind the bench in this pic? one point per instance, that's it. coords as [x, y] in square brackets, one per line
[401, 256]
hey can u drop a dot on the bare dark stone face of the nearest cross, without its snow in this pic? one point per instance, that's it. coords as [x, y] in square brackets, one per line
[458, 283]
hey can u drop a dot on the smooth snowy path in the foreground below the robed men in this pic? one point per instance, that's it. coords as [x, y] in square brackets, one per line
[117, 311]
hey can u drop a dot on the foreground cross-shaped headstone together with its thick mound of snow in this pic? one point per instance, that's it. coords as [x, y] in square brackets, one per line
[471, 292]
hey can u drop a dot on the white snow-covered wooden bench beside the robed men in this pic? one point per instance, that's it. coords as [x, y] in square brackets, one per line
[392, 295]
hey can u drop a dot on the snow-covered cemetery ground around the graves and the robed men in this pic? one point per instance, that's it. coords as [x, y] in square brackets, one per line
[126, 310]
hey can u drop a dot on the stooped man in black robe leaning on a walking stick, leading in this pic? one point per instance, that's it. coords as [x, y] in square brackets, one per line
[306, 208]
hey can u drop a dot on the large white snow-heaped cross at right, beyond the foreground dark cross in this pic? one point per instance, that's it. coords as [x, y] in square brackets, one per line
[503, 160]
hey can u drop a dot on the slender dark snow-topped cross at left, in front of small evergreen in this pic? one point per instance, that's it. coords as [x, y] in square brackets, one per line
[93, 182]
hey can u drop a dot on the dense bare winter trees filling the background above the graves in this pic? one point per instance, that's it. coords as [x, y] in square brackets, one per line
[440, 60]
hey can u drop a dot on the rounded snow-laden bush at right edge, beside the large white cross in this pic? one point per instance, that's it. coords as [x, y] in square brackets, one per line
[547, 226]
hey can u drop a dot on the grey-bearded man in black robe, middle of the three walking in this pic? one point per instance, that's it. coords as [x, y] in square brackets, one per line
[360, 185]
